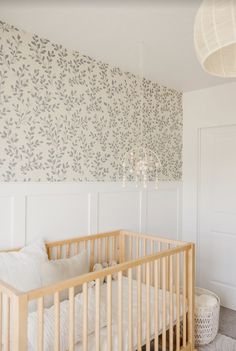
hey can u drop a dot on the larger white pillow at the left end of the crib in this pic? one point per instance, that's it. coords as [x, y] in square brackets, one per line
[21, 269]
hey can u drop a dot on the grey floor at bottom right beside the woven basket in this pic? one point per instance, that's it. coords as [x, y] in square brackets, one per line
[226, 339]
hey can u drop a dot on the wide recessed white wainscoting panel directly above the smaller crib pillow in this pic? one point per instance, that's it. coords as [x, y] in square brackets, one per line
[57, 216]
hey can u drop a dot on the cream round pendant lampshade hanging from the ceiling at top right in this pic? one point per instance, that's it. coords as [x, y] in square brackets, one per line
[215, 37]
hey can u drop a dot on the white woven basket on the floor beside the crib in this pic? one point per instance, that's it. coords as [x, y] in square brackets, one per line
[206, 320]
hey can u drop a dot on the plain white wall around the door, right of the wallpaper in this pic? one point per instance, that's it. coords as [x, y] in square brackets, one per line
[213, 107]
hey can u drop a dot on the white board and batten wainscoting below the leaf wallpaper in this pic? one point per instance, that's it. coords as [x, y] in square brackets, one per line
[56, 211]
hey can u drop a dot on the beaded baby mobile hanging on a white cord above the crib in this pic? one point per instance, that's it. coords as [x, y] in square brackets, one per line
[141, 164]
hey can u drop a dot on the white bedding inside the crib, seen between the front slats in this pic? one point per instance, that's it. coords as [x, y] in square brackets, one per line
[64, 314]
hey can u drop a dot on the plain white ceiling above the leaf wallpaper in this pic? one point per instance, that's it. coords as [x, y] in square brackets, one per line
[111, 31]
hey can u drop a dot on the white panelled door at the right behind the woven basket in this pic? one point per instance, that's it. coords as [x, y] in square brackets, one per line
[217, 213]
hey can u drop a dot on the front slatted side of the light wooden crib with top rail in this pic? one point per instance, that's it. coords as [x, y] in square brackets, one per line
[155, 266]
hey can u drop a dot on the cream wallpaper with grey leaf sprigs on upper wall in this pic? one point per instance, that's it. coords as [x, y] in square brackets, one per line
[65, 116]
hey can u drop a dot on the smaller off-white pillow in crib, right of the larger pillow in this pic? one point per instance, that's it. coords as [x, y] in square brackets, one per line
[63, 269]
